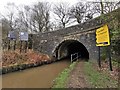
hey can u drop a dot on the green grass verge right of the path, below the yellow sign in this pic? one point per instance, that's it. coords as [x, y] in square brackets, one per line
[97, 79]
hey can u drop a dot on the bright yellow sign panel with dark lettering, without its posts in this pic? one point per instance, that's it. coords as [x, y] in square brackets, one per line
[102, 36]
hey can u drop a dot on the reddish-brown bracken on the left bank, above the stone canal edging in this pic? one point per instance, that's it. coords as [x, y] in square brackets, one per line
[15, 57]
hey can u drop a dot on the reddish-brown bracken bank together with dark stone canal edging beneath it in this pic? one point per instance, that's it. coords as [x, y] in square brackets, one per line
[15, 61]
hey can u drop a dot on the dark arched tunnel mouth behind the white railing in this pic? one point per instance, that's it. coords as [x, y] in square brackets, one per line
[68, 47]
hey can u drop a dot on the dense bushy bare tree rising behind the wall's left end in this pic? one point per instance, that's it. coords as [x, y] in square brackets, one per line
[40, 16]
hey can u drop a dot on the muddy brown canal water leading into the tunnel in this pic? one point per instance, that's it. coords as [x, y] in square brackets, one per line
[38, 77]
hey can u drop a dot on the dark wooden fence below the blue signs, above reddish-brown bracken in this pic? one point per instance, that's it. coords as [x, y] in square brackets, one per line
[9, 44]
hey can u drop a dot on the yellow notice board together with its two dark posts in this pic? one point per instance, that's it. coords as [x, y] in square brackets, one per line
[103, 39]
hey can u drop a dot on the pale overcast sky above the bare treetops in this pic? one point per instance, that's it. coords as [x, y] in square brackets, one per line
[3, 3]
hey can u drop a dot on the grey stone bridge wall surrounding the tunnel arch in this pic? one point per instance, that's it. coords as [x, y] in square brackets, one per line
[84, 33]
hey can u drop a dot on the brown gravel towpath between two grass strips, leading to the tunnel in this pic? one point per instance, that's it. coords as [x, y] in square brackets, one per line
[77, 77]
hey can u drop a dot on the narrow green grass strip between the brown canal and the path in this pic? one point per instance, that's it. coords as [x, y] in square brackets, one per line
[61, 80]
